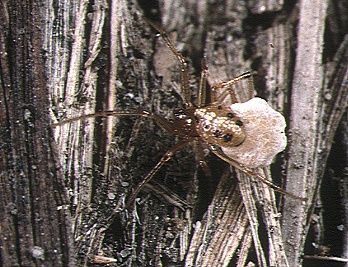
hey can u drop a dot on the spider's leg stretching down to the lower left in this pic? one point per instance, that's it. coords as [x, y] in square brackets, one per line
[166, 157]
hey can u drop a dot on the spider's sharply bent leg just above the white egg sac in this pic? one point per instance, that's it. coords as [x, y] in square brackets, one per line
[227, 88]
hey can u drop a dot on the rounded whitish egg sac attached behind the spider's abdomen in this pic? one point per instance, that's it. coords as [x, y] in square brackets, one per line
[265, 133]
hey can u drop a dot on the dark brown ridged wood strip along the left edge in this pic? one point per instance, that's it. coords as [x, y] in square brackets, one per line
[35, 225]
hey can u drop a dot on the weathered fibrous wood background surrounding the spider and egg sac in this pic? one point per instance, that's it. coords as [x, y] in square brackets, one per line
[70, 58]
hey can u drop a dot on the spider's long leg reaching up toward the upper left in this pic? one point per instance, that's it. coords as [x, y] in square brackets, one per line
[184, 74]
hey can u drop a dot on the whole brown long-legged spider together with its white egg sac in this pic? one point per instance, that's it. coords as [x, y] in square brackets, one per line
[231, 132]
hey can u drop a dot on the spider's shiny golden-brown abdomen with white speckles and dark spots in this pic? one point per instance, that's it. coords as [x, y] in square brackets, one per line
[218, 125]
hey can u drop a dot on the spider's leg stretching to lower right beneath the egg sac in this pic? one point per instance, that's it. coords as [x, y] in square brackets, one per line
[251, 172]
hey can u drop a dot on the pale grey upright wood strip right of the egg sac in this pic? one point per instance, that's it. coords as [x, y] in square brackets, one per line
[304, 117]
